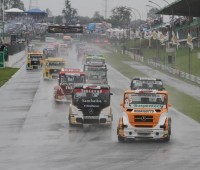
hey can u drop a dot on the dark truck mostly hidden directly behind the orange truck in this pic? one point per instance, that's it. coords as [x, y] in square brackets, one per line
[146, 83]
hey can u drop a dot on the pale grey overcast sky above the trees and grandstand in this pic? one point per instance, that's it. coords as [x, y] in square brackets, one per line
[88, 7]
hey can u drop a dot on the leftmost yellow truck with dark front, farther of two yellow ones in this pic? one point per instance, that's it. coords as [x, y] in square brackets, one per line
[34, 60]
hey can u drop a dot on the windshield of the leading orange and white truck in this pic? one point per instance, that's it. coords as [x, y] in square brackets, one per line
[145, 100]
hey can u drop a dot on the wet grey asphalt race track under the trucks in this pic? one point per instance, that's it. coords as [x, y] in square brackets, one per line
[35, 135]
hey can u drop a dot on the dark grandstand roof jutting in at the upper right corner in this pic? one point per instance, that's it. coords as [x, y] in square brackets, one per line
[182, 8]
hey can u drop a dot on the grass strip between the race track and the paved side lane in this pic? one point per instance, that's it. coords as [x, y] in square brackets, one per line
[182, 102]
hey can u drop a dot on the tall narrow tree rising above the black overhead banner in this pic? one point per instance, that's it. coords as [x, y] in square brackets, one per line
[70, 14]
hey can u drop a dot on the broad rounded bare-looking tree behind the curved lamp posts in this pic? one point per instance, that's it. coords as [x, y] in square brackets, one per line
[121, 16]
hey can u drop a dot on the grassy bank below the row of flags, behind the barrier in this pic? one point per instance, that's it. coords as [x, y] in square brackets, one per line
[182, 55]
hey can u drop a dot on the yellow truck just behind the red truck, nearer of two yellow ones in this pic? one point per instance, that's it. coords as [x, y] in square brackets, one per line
[52, 66]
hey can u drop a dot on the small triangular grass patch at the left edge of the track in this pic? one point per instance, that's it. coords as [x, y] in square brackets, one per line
[6, 74]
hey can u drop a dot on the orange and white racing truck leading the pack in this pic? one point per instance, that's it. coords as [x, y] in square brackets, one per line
[144, 116]
